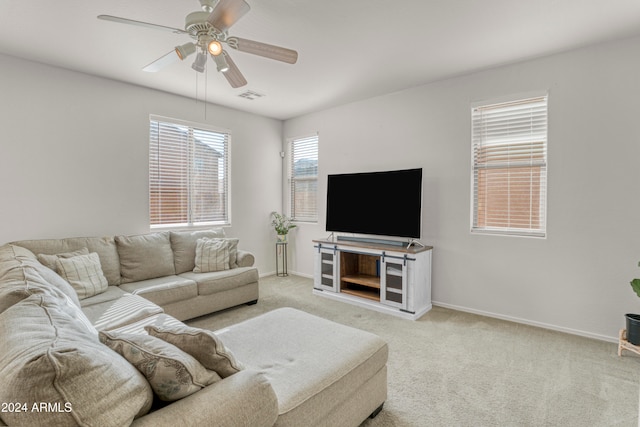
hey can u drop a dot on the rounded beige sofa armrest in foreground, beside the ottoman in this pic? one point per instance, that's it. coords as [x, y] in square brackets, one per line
[242, 399]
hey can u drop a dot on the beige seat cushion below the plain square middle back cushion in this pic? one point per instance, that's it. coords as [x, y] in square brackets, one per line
[163, 290]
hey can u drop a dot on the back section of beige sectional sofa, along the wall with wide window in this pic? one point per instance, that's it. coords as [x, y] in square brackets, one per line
[159, 267]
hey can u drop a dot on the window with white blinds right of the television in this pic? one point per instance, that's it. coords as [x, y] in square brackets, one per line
[509, 143]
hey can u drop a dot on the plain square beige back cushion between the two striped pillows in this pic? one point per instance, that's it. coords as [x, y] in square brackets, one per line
[145, 256]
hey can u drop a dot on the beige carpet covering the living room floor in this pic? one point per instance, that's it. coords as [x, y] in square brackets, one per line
[457, 369]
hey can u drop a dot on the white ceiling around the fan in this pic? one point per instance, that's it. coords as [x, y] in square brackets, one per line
[348, 49]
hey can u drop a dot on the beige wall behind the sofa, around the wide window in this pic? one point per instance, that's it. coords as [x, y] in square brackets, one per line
[74, 157]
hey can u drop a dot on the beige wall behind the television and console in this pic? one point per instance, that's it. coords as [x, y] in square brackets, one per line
[575, 280]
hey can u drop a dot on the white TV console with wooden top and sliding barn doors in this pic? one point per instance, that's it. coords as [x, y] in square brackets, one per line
[384, 277]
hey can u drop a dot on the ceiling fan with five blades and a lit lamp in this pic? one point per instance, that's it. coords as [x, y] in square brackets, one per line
[209, 29]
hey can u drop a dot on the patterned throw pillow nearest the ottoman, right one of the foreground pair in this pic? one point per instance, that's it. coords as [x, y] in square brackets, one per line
[204, 345]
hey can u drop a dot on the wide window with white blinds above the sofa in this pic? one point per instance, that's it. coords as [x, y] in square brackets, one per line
[188, 174]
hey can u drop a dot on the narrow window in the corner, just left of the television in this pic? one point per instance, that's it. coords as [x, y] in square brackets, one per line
[303, 178]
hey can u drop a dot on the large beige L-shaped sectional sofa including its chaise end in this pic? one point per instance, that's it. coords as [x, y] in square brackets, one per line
[107, 355]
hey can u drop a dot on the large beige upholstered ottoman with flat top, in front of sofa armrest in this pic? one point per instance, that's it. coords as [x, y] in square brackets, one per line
[323, 373]
